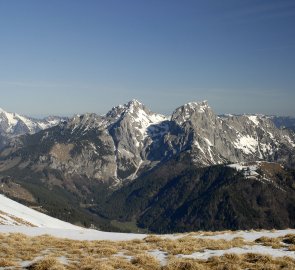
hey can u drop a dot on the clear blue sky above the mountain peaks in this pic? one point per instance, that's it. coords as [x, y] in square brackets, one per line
[61, 57]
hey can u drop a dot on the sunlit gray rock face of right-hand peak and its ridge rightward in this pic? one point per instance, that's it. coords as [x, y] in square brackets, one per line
[233, 138]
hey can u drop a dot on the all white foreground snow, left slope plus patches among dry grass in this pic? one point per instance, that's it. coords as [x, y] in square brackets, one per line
[14, 215]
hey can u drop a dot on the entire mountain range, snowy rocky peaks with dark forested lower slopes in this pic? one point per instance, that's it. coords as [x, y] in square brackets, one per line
[160, 173]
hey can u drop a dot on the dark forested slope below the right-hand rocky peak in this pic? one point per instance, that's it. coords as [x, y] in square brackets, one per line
[179, 197]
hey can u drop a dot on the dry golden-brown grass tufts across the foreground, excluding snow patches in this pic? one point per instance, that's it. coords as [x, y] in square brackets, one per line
[108, 255]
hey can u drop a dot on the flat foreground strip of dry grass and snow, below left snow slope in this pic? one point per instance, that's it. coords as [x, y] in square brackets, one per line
[43, 248]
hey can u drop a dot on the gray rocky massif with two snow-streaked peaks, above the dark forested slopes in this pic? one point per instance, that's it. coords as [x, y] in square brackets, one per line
[130, 139]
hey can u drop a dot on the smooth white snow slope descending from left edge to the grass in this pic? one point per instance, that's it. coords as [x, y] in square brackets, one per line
[17, 218]
